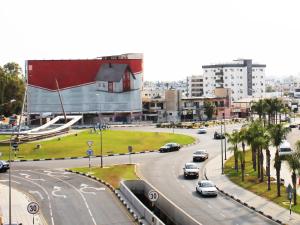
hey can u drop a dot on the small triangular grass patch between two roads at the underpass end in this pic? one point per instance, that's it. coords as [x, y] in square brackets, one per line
[112, 175]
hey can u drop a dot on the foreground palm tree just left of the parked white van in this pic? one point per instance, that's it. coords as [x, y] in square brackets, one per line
[277, 133]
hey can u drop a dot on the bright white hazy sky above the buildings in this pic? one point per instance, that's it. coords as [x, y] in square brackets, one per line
[176, 37]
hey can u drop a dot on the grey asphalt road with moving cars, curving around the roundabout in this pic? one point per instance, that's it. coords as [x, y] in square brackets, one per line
[164, 171]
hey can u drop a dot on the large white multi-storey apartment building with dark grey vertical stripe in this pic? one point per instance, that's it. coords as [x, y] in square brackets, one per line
[243, 77]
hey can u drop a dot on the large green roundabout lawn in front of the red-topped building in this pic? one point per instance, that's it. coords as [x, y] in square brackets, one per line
[114, 141]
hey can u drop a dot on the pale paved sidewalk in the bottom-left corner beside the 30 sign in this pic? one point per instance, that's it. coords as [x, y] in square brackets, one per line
[19, 208]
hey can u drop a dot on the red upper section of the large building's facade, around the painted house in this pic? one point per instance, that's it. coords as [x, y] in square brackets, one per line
[70, 73]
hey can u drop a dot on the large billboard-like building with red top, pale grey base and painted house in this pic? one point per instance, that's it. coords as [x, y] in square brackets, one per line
[106, 88]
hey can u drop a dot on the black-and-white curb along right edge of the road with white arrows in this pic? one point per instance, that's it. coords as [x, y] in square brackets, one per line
[136, 218]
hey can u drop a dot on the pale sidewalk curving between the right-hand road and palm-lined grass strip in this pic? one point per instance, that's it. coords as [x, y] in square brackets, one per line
[268, 208]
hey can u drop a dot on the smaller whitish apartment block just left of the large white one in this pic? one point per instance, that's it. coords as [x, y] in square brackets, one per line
[194, 86]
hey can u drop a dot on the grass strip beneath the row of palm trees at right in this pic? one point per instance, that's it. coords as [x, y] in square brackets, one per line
[251, 183]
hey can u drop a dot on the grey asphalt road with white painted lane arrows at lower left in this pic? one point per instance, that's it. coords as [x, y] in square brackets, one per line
[67, 198]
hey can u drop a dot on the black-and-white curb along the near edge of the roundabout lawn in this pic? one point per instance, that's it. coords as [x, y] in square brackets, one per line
[96, 156]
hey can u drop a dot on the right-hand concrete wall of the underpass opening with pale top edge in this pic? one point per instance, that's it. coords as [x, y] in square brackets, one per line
[174, 213]
